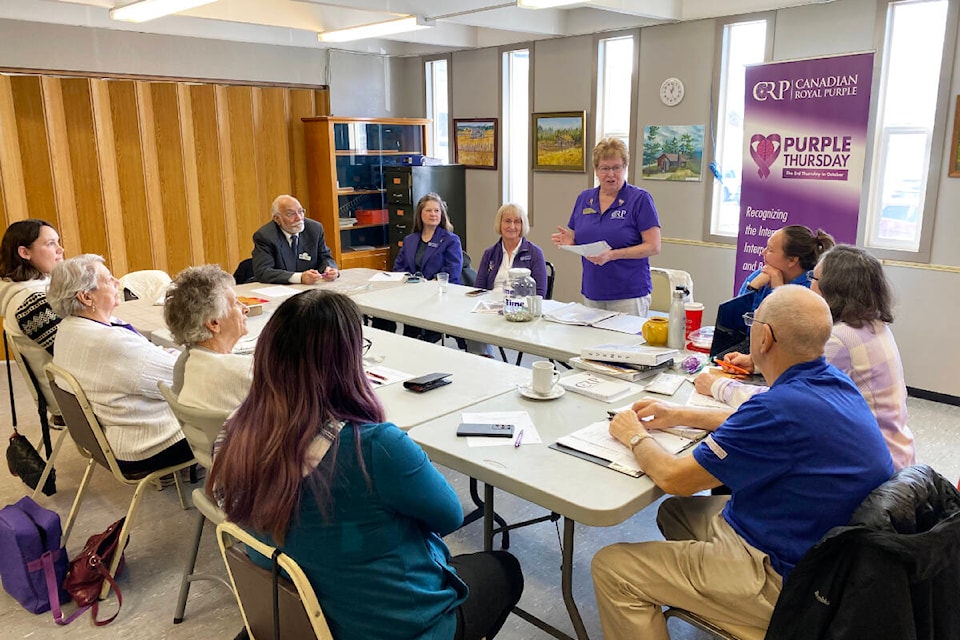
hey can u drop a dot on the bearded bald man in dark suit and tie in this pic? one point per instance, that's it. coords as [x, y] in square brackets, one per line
[290, 249]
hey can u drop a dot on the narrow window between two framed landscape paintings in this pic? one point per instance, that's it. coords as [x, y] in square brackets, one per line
[516, 126]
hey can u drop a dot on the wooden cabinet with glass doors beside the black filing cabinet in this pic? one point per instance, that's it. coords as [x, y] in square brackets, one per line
[346, 160]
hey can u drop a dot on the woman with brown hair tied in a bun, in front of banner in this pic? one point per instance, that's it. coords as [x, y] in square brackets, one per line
[790, 254]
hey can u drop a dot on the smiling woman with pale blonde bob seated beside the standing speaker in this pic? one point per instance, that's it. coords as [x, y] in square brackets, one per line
[513, 251]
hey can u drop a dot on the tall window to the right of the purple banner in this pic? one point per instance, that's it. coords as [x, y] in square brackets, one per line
[906, 115]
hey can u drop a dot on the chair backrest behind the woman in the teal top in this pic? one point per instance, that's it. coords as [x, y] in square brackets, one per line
[299, 610]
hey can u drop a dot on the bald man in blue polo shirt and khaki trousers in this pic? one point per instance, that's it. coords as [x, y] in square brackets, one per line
[798, 460]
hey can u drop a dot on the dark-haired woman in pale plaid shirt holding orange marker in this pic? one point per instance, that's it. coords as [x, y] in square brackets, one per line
[861, 345]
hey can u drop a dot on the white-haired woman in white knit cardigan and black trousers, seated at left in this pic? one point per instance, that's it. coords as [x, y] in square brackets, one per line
[117, 367]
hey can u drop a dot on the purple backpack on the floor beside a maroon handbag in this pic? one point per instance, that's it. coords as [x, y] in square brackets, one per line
[30, 538]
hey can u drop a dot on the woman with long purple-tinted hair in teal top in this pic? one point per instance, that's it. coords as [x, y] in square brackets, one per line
[309, 464]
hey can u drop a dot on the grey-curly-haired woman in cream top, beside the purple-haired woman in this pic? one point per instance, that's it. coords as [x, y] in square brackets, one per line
[203, 314]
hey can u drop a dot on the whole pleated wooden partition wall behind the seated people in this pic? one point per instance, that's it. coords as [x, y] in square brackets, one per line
[151, 174]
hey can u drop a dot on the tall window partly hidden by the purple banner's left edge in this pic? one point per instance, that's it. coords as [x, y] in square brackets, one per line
[743, 43]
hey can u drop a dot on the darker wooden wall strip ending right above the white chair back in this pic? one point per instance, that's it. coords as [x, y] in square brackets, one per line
[129, 161]
